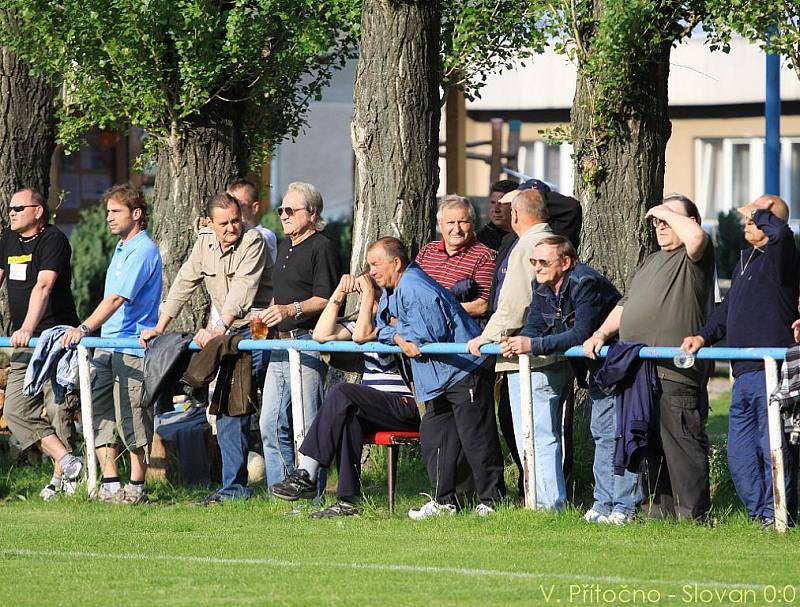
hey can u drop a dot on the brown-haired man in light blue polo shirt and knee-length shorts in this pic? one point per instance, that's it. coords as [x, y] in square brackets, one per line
[130, 303]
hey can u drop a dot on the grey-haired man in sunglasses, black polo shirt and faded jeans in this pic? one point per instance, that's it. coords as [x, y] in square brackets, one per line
[306, 273]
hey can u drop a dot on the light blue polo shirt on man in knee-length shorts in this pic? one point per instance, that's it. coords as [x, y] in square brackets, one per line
[135, 274]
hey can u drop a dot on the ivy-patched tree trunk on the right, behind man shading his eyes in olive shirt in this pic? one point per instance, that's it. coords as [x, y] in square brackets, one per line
[619, 179]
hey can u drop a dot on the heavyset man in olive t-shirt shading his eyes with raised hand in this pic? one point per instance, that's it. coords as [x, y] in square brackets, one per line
[666, 300]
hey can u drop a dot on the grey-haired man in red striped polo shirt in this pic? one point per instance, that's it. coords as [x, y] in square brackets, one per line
[459, 262]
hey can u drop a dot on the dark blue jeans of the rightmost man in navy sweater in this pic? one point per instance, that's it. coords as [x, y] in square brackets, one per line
[748, 444]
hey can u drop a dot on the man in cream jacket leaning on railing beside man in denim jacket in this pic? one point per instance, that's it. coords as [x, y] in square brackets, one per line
[529, 222]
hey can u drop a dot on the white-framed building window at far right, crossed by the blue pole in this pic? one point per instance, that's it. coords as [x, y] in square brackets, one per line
[730, 173]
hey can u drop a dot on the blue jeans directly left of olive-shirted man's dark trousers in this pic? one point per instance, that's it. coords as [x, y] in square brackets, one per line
[612, 493]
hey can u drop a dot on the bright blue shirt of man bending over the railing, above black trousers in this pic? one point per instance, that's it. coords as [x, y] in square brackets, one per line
[428, 313]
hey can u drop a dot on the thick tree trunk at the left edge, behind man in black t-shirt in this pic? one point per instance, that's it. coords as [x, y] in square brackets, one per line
[27, 140]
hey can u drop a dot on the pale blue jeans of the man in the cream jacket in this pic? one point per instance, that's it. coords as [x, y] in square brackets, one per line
[547, 384]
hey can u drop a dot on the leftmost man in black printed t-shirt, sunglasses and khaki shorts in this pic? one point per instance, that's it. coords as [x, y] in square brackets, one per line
[35, 263]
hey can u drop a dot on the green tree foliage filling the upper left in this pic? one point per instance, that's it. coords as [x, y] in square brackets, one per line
[160, 63]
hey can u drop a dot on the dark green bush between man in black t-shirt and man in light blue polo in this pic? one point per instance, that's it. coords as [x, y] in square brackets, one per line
[92, 247]
